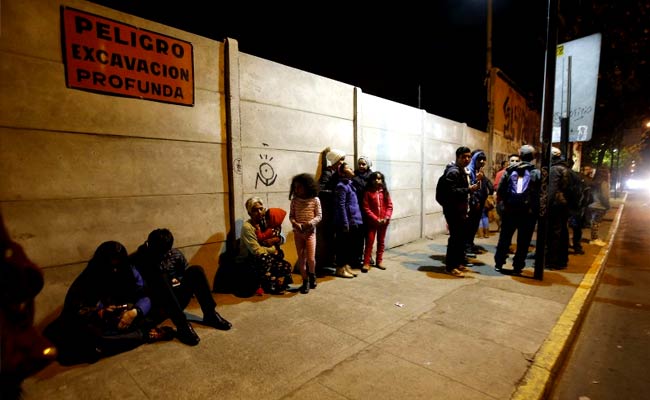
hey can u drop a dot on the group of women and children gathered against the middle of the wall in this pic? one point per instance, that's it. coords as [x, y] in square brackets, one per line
[335, 221]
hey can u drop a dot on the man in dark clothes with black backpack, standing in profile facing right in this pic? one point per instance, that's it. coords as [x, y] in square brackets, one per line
[452, 192]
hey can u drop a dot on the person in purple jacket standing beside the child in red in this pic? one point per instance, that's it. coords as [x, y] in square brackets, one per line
[348, 222]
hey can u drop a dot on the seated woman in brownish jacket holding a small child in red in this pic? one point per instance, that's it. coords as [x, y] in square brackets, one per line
[272, 271]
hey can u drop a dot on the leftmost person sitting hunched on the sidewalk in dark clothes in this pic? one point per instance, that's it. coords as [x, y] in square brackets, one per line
[105, 310]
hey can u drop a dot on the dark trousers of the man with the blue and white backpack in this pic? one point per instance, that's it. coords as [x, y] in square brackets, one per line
[524, 224]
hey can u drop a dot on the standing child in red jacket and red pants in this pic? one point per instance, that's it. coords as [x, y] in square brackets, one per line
[378, 208]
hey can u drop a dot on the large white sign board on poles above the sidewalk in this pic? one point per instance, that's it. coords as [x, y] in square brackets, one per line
[583, 57]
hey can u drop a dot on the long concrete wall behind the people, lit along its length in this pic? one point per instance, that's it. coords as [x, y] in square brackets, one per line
[79, 168]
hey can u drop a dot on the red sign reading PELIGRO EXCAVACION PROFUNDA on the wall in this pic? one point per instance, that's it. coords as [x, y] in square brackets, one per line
[106, 56]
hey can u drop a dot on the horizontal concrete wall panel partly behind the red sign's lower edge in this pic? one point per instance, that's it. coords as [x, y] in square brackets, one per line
[46, 103]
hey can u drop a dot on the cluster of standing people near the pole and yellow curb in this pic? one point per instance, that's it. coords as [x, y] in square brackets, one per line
[574, 199]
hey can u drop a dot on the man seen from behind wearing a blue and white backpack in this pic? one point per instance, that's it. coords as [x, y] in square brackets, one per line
[518, 196]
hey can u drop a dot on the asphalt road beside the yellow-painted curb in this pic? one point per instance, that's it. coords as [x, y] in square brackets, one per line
[611, 353]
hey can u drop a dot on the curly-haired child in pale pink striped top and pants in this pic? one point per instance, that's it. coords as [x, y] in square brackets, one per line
[305, 212]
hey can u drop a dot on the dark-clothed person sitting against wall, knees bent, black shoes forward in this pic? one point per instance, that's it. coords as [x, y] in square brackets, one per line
[173, 282]
